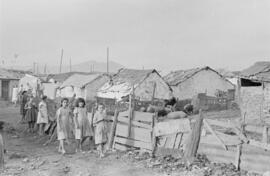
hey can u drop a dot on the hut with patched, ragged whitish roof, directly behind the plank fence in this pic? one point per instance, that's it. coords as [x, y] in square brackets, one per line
[146, 84]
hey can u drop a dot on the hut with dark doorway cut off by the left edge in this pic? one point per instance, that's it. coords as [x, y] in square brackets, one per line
[8, 81]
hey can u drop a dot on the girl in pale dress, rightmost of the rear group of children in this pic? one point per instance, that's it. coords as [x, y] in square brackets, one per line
[43, 118]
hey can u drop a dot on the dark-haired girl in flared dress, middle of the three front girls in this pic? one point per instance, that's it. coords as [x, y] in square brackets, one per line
[82, 125]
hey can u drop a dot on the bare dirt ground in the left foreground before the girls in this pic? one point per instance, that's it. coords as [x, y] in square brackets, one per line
[28, 157]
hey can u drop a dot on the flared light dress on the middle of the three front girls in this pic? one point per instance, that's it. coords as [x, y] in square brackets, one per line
[83, 128]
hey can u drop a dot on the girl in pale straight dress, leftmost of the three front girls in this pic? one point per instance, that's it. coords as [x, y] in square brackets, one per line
[63, 123]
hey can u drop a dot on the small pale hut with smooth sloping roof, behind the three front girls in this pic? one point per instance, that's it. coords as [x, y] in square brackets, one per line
[84, 86]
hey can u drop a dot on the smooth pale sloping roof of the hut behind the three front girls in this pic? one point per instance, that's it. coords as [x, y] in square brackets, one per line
[79, 80]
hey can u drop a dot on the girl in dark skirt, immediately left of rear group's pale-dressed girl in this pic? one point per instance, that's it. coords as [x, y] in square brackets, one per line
[31, 113]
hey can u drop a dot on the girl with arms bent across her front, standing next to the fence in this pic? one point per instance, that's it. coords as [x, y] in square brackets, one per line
[100, 129]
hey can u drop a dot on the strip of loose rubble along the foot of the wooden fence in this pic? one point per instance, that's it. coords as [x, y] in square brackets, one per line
[200, 166]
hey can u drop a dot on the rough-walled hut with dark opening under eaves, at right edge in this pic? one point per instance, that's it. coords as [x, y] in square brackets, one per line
[254, 93]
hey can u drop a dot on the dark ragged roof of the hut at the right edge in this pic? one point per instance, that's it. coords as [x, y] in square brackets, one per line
[259, 71]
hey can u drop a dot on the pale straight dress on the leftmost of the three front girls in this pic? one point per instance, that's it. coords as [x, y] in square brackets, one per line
[63, 119]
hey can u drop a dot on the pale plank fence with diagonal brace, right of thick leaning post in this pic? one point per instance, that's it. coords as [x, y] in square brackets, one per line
[225, 142]
